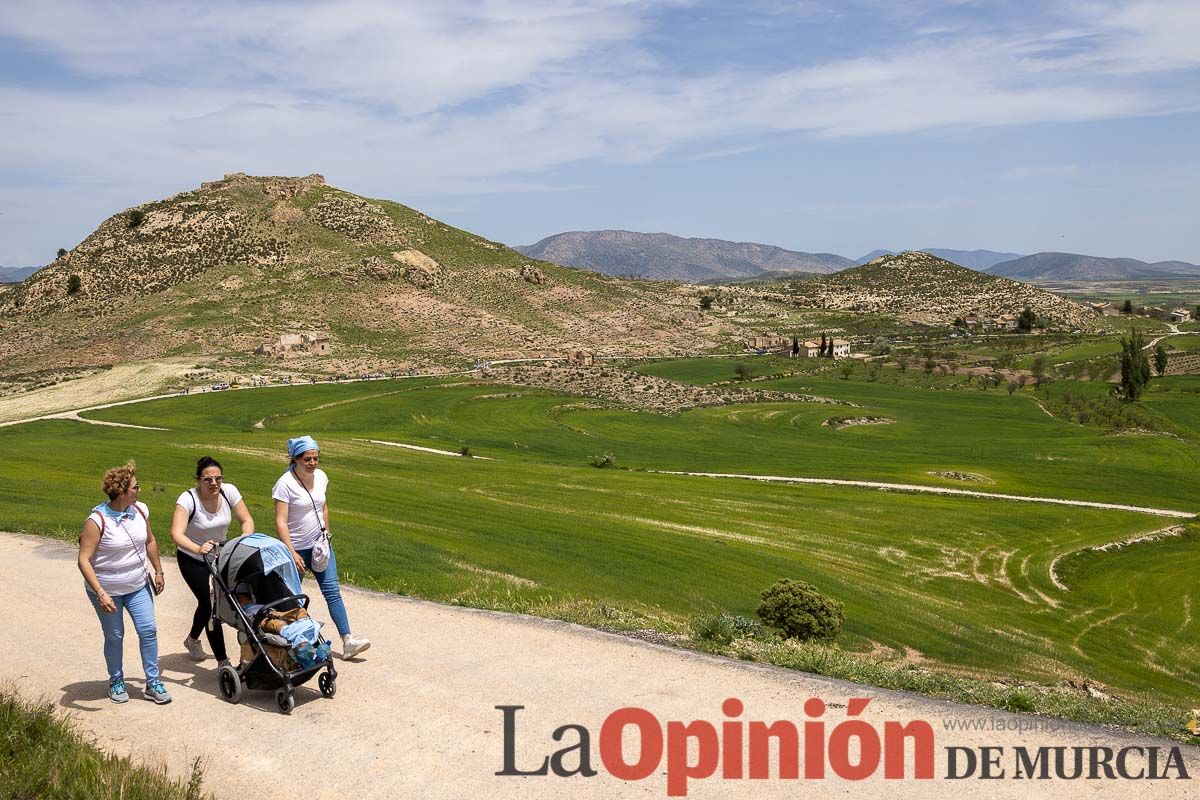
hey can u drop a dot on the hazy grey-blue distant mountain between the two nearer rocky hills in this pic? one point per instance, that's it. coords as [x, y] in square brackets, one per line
[675, 258]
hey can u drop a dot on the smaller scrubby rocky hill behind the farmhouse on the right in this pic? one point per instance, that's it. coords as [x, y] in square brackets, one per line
[925, 288]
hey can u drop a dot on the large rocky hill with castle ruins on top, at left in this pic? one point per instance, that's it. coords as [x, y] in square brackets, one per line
[237, 263]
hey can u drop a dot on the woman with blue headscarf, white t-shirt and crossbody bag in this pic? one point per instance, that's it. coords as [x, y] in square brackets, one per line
[302, 521]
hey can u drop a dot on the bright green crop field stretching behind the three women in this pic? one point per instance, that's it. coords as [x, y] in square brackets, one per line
[998, 590]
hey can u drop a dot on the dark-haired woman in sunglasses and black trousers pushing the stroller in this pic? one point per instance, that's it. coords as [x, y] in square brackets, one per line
[201, 524]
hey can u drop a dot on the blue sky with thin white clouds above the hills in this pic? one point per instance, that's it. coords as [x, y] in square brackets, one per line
[815, 127]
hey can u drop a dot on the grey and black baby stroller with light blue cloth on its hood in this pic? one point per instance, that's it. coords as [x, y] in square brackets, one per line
[261, 570]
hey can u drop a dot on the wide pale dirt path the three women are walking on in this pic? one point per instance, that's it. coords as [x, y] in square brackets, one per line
[417, 717]
